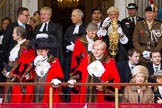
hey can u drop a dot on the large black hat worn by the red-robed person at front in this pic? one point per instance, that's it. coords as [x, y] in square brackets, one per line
[48, 42]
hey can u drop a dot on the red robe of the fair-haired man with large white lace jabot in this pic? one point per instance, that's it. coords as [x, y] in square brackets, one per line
[110, 73]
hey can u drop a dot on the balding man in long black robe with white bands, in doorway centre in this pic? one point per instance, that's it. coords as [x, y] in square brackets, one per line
[77, 29]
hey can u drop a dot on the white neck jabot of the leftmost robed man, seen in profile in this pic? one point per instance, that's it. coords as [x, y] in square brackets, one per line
[14, 52]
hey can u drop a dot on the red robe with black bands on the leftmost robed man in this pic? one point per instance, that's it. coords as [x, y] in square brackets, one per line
[24, 65]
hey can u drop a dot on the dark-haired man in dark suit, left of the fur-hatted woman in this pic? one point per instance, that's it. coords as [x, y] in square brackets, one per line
[125, 67]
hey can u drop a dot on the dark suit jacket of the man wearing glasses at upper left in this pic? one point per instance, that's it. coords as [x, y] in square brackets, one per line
[8, 42]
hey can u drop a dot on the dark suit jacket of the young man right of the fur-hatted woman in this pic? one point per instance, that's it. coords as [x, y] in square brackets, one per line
[151, 72]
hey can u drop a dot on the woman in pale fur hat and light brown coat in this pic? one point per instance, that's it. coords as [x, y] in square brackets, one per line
[138, 94]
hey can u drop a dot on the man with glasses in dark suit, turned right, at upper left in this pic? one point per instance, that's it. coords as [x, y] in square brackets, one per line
[22, 20]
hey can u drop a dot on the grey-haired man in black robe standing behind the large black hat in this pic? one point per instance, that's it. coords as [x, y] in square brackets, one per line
[50, 28]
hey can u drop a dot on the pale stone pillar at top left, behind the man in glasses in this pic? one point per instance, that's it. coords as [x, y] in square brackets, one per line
[32, 5]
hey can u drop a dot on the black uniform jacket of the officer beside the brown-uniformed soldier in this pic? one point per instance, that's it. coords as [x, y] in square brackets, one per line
[128, 29]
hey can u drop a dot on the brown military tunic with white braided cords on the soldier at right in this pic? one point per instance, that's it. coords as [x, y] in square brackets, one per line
[147, 39]
